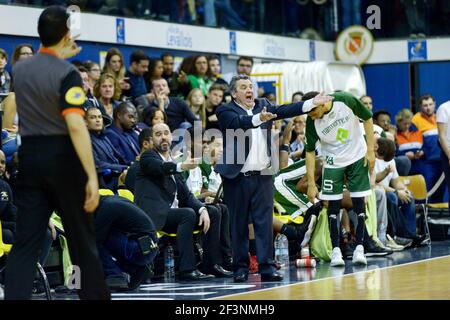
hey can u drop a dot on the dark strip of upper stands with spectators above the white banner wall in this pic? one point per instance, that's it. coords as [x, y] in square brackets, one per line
[399, 18]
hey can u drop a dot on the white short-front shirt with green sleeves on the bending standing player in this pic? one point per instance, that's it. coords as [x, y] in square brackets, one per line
[340, 135]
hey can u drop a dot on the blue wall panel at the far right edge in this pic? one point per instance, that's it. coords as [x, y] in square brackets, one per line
[434, 78]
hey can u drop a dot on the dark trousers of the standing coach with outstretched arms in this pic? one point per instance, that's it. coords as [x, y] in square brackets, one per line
[244, 197]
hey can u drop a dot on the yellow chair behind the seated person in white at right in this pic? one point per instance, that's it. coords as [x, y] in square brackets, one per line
[417, 185]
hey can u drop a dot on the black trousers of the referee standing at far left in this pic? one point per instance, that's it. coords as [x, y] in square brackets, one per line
[51, 178]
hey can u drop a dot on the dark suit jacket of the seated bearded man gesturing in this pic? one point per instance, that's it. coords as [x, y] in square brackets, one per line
[155, 189]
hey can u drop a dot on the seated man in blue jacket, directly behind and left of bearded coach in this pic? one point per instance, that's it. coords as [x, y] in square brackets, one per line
[121, 133]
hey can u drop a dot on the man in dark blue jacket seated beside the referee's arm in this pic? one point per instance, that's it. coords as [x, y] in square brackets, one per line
[108, 161]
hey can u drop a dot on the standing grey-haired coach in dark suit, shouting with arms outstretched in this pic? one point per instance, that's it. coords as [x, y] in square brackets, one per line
[247, 184]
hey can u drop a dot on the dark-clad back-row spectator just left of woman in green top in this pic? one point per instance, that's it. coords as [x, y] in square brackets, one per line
[178, 82]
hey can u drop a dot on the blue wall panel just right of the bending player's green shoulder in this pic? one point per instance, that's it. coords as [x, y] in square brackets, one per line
[389, 86]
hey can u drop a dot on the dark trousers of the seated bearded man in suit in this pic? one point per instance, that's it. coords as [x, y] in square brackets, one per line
[182, 222]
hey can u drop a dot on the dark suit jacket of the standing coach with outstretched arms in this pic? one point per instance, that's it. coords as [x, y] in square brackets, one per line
[232, 116]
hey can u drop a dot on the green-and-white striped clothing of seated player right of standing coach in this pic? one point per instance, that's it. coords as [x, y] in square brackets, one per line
[285, 193]
